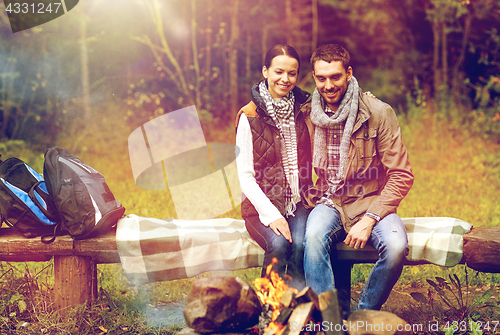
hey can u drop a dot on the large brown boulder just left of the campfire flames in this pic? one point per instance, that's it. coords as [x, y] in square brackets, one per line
[221, 304]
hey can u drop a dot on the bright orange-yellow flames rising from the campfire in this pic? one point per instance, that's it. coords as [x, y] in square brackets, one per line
[270, 289]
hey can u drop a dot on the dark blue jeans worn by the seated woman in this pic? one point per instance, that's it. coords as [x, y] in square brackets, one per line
[290, 256]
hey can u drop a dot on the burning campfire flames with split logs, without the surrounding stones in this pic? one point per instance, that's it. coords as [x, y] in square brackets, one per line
[295, 312]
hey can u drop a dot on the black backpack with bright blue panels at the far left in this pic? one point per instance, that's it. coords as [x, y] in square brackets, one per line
[24, 201]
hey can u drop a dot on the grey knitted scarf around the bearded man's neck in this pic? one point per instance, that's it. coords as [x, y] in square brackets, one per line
[347, 111]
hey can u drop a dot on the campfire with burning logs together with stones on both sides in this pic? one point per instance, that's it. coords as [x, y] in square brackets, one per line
[229, 305]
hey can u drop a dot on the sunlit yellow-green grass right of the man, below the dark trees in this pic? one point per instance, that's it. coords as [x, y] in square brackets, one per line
[456, 171]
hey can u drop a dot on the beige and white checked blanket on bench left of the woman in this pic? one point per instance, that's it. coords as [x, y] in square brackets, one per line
[160, 250]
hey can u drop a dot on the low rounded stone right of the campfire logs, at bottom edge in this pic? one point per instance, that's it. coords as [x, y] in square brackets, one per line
[369, 322]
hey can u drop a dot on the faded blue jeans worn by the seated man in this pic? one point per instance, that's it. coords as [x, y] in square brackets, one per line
[388, 236]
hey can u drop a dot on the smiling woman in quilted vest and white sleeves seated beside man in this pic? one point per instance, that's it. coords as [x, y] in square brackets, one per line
[274, 146]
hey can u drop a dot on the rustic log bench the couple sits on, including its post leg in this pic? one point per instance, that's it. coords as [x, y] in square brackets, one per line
[75, 262]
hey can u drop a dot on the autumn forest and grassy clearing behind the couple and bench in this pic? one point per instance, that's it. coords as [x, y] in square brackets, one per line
[86, 80]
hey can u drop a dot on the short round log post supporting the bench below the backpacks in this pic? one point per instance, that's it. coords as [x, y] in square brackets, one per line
[75, 281]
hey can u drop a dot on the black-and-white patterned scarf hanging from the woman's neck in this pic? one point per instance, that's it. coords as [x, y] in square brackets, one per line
[282, 114]
